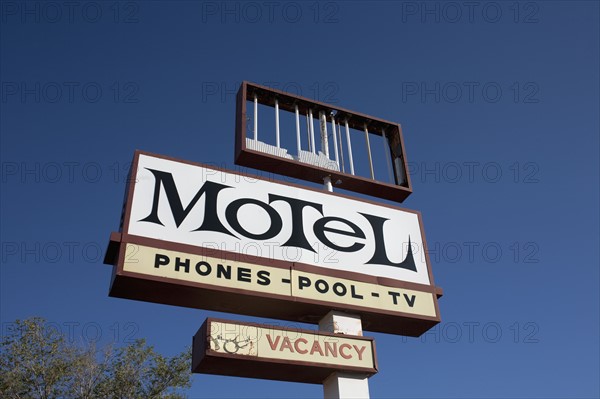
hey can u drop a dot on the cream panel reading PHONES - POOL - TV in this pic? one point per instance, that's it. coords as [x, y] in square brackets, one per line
[293, 284]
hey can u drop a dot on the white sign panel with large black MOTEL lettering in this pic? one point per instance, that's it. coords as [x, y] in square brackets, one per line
[199, 206]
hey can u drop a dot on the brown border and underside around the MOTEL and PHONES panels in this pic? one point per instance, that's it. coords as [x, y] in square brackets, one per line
[202, 296]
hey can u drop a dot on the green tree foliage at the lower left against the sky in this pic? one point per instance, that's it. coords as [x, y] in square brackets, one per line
[38, 362]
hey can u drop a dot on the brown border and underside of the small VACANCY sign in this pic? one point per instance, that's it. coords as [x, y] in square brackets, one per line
[207, 361]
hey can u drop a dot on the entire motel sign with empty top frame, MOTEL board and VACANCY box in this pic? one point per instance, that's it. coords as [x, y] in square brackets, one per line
[209, 238]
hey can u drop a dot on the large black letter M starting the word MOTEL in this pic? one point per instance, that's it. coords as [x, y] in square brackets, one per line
[211, 221]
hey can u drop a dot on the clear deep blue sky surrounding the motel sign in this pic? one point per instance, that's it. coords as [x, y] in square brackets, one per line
[499, 104]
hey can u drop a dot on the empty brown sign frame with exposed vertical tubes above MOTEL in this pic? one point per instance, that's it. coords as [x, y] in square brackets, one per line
[314, 140]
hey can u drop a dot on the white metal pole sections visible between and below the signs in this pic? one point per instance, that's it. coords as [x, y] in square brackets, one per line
[341, 385]
